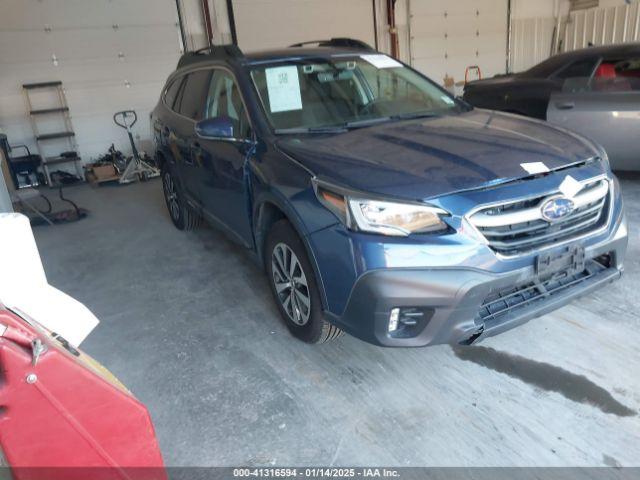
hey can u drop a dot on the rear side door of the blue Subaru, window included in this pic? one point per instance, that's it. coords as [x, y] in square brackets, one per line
[189, 106]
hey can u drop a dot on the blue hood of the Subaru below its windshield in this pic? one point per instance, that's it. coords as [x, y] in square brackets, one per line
[425, 158]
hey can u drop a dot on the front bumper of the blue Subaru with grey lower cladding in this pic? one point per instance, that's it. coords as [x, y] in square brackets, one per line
[452, 298]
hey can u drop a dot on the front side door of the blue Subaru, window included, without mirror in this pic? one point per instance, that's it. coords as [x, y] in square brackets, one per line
[223, 161]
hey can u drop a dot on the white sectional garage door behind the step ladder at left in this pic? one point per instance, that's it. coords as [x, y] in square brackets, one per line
[111, 55]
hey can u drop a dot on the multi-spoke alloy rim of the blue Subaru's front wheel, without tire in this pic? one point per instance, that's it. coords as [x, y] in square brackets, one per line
[291, 284]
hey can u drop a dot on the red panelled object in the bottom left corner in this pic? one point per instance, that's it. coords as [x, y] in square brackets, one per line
[66, 417]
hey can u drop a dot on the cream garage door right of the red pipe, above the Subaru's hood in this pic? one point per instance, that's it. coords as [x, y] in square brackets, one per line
[447, 36]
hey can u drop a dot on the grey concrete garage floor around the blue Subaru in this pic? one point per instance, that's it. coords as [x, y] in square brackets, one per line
[189, 326]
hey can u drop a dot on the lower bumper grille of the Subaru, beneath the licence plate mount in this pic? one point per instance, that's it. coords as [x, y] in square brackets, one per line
[507, 301]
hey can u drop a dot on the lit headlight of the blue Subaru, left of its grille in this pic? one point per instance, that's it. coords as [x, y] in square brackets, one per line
[387, 218]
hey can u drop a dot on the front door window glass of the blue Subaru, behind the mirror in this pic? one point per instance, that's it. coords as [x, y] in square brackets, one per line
[224, 100]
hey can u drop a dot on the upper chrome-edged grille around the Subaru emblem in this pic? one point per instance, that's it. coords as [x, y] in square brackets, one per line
[517, 227]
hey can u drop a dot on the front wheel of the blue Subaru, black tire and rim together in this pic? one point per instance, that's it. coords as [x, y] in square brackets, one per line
[294, 287]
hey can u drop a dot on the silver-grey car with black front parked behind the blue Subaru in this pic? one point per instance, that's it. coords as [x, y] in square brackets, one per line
[594, 91]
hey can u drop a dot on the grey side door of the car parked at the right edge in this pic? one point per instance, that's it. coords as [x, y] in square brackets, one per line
[604, 109]
